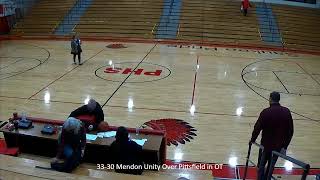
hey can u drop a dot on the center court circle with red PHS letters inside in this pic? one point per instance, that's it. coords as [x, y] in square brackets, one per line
[145, 72]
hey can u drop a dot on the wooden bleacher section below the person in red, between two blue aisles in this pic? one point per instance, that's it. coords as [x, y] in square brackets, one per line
[218, 21]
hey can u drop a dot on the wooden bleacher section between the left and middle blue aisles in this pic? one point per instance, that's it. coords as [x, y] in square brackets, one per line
[128, 18]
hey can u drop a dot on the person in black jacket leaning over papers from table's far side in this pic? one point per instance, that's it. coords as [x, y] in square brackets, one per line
[92, 108]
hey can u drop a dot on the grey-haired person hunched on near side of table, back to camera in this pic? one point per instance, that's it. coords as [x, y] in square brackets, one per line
[71, 146]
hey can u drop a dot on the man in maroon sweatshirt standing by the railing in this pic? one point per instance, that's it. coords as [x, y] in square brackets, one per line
[276, 125]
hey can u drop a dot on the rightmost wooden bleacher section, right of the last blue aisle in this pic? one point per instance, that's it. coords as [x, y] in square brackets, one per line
[299, 26]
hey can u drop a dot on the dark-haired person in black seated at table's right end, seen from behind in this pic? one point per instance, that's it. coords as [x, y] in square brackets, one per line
[125, 152]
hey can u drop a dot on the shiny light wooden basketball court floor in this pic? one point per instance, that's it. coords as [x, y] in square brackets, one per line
[226, 87]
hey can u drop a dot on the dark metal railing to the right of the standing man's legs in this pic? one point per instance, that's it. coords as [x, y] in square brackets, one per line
[275, 155]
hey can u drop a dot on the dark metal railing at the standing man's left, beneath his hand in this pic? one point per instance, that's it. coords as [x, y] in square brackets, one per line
[261, 161]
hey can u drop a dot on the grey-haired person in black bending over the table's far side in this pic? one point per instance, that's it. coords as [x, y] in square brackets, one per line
[92, 115]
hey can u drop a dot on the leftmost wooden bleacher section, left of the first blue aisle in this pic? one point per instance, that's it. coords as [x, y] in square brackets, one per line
[43, 18]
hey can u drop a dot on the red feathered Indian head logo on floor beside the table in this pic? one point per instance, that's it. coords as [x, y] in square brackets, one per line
[178, 131]
